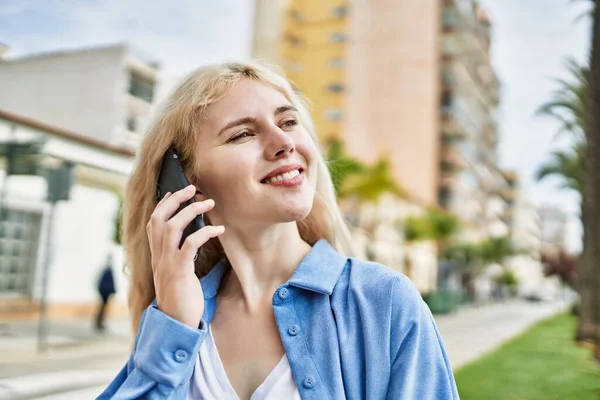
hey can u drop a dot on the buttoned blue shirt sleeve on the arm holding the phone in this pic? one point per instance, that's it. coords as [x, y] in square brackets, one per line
[163, 358]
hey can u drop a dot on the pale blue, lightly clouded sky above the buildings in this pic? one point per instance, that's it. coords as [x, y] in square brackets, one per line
[531, 39]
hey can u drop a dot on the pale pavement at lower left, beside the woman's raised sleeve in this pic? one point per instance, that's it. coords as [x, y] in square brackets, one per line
[78, 360]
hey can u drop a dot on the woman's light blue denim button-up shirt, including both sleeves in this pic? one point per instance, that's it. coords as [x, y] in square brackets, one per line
[351, 329]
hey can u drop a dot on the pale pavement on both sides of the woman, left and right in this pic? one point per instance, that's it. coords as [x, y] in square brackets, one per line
[80, 362]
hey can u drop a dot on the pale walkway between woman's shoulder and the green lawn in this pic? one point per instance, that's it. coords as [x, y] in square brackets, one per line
[472, 332]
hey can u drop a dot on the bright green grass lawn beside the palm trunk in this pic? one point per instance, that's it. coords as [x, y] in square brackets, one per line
[542, 364]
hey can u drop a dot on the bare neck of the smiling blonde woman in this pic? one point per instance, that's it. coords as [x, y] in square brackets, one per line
[261, 262]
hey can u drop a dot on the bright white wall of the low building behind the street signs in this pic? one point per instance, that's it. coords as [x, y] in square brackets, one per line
[81, 239]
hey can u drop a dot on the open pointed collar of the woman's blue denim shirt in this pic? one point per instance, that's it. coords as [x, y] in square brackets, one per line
[319, 271]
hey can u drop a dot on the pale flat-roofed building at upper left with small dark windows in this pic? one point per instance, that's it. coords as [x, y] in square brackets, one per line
[102, 93]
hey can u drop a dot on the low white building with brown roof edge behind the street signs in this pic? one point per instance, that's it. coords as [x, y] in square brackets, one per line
[83, 227]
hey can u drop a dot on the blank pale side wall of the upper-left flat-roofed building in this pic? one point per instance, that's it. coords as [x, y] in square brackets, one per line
[77, 91]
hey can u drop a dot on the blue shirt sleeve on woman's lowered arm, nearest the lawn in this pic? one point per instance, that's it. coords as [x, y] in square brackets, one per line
[419, 367]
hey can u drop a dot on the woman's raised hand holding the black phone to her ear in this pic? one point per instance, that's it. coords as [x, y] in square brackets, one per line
[178, 290]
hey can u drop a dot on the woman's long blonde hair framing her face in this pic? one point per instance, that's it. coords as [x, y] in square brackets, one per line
[177, 124]
